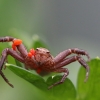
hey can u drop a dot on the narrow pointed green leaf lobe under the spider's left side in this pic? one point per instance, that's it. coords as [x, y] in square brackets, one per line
[28, 76]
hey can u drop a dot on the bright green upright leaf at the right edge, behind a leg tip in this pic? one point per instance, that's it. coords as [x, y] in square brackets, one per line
[91, 89]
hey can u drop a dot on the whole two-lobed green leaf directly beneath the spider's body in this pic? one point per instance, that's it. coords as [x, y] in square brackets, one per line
[59, 92]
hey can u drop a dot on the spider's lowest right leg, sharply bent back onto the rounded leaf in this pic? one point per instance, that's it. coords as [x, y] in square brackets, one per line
[60, 70]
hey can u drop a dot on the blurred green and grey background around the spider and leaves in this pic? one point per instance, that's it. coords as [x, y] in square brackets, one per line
[61, 24]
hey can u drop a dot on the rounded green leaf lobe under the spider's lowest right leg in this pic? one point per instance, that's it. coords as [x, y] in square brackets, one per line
[64, 91]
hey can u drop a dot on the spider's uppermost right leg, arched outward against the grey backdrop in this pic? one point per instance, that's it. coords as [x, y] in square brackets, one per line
[66, 53]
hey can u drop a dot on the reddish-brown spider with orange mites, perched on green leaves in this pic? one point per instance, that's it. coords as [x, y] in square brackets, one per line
[41, 60]
